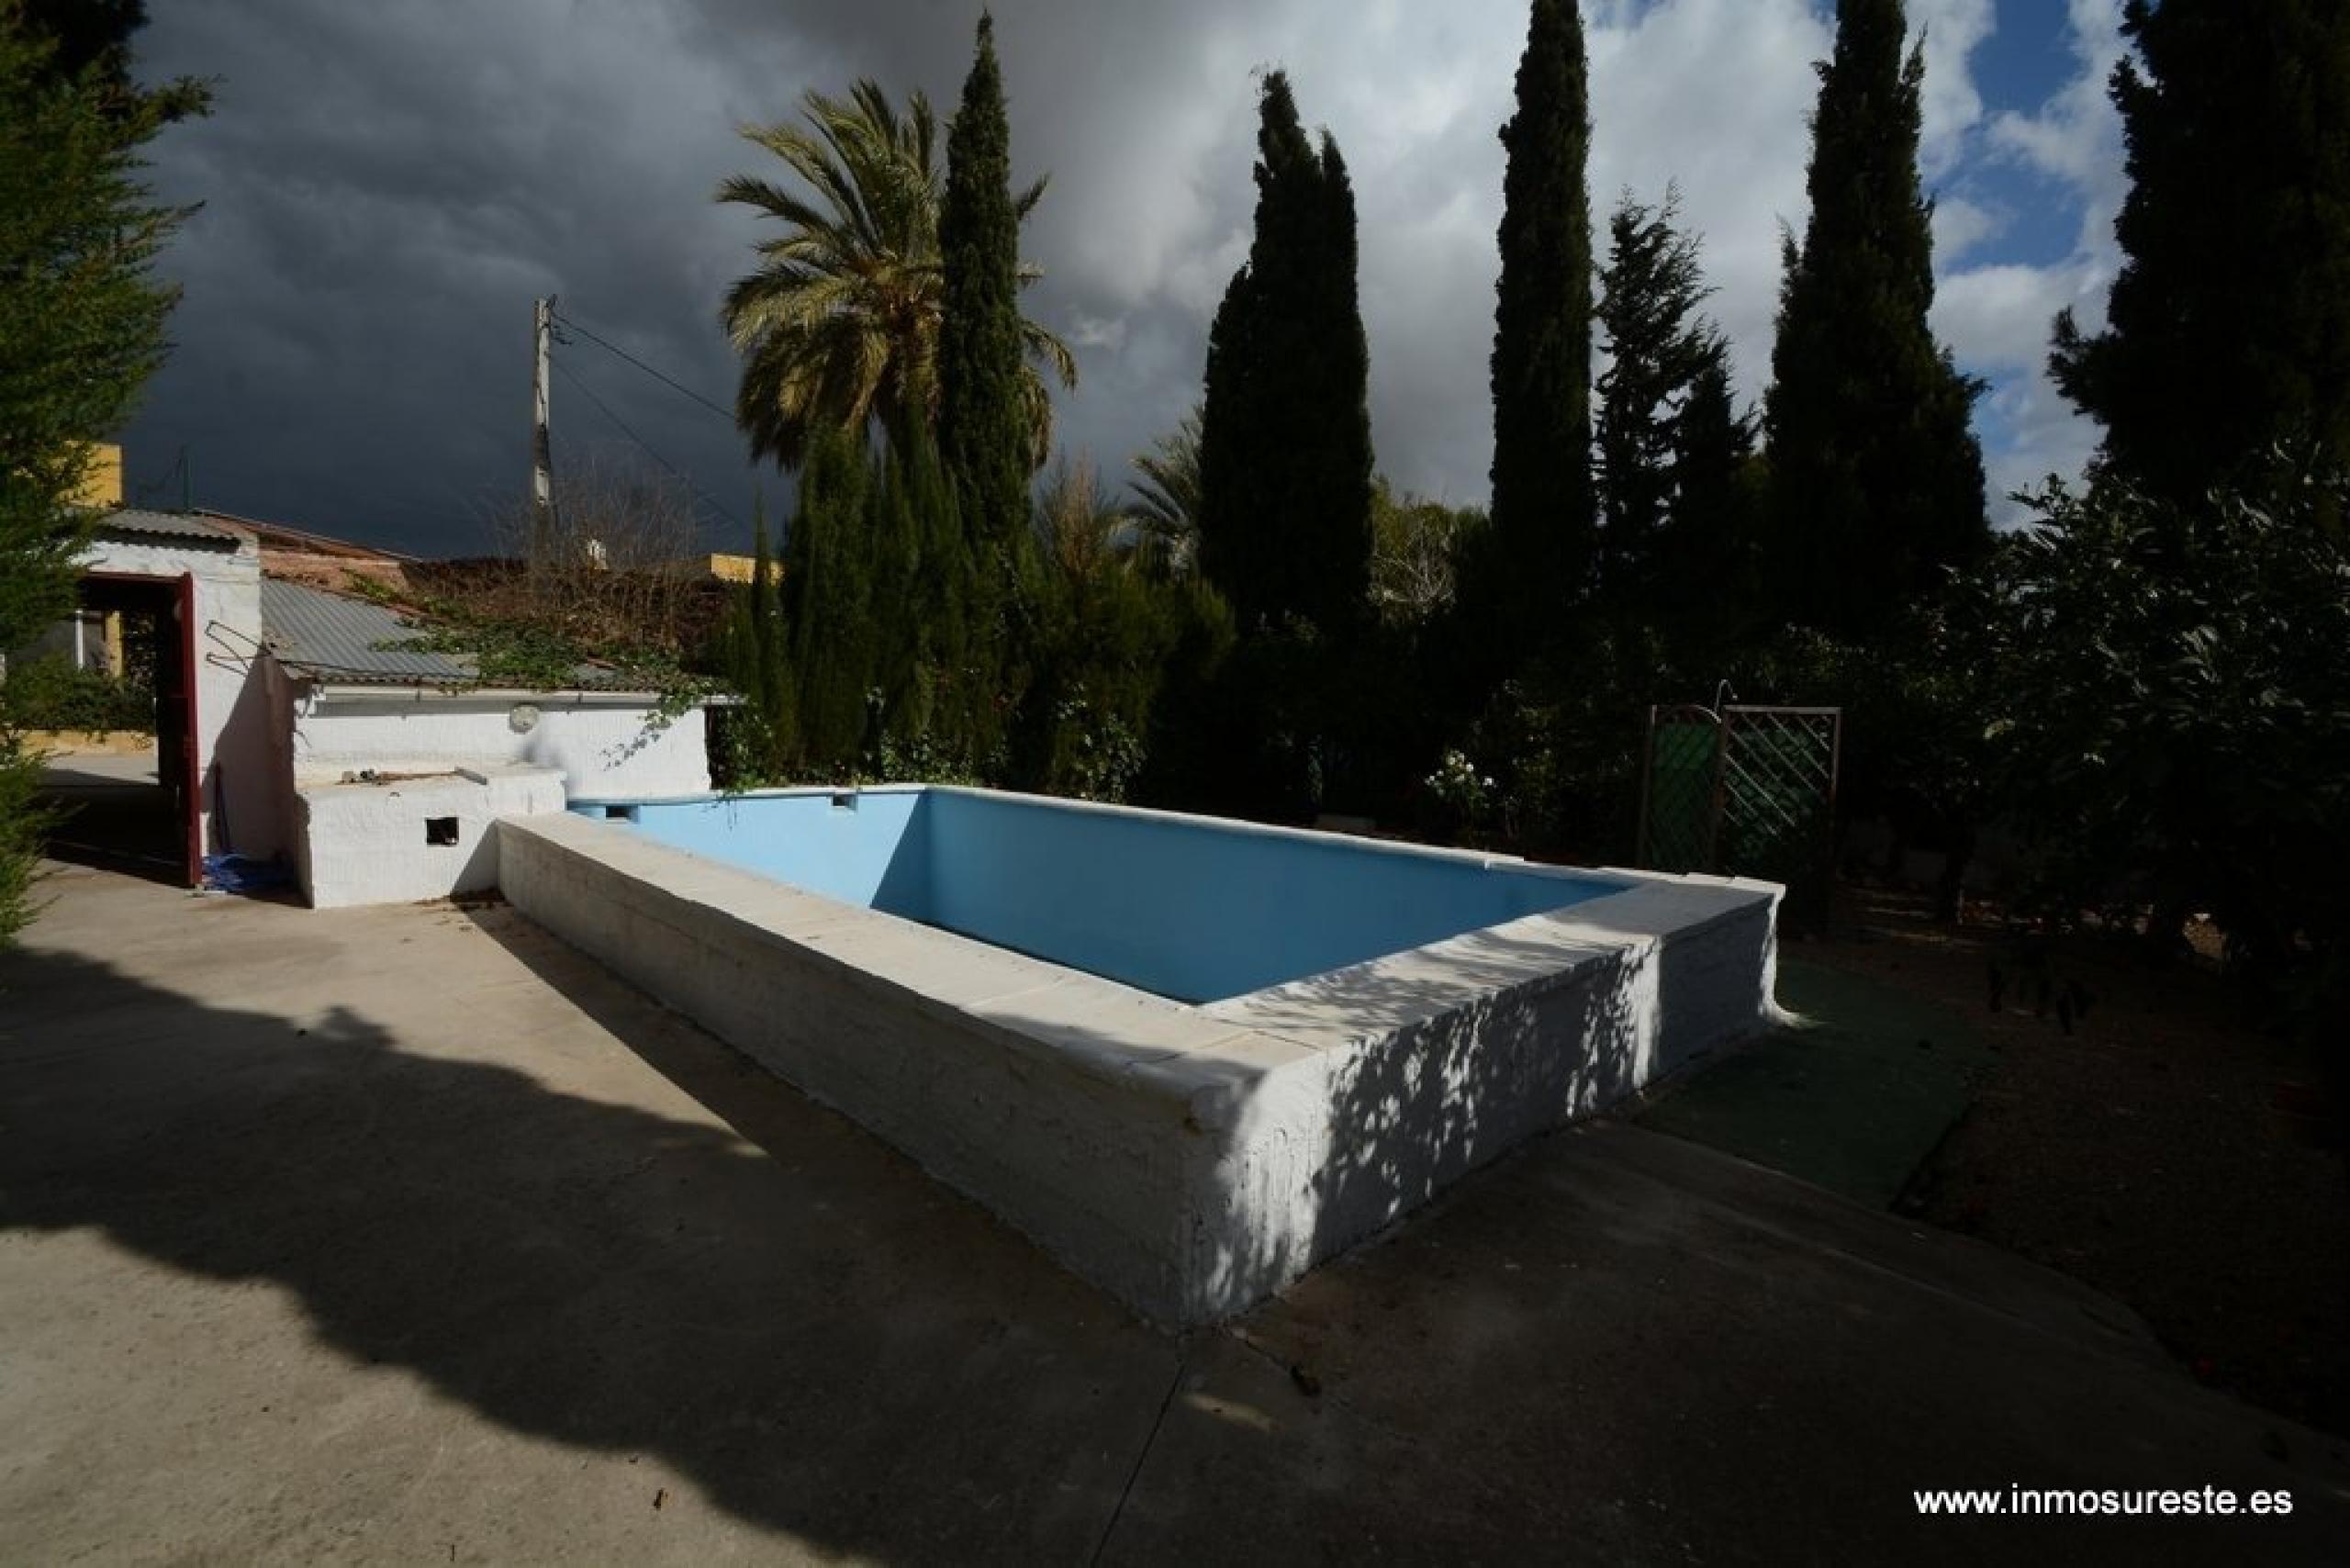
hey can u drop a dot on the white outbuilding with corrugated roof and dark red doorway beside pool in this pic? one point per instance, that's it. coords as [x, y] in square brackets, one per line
[309, 728]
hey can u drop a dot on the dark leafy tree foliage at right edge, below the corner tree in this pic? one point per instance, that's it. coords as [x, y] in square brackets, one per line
[2180, 711]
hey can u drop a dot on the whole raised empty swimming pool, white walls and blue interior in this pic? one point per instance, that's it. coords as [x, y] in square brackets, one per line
[1188, 1057]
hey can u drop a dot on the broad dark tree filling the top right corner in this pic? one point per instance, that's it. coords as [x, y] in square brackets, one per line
[2231, 316]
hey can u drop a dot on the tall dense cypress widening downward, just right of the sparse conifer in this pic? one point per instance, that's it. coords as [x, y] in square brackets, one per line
[1879, 483]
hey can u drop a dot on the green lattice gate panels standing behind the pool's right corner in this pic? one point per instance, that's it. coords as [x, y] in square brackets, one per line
[1745, 793]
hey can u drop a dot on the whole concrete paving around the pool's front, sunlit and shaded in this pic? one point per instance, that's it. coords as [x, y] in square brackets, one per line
[408, 1235]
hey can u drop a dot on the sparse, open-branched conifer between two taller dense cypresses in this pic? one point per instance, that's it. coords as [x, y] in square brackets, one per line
[1656, 354]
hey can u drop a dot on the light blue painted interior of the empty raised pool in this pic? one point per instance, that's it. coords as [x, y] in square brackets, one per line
[1176, 906]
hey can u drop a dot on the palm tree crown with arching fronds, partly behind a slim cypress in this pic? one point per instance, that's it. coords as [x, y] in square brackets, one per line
[840, 323]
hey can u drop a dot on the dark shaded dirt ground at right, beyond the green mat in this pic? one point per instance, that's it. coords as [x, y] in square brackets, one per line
[2144, 1151]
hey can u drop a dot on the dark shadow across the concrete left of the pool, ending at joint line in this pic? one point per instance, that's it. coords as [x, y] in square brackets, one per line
[805, 1325]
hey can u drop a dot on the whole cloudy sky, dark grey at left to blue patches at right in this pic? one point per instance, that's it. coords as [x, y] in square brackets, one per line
[389, 185]
